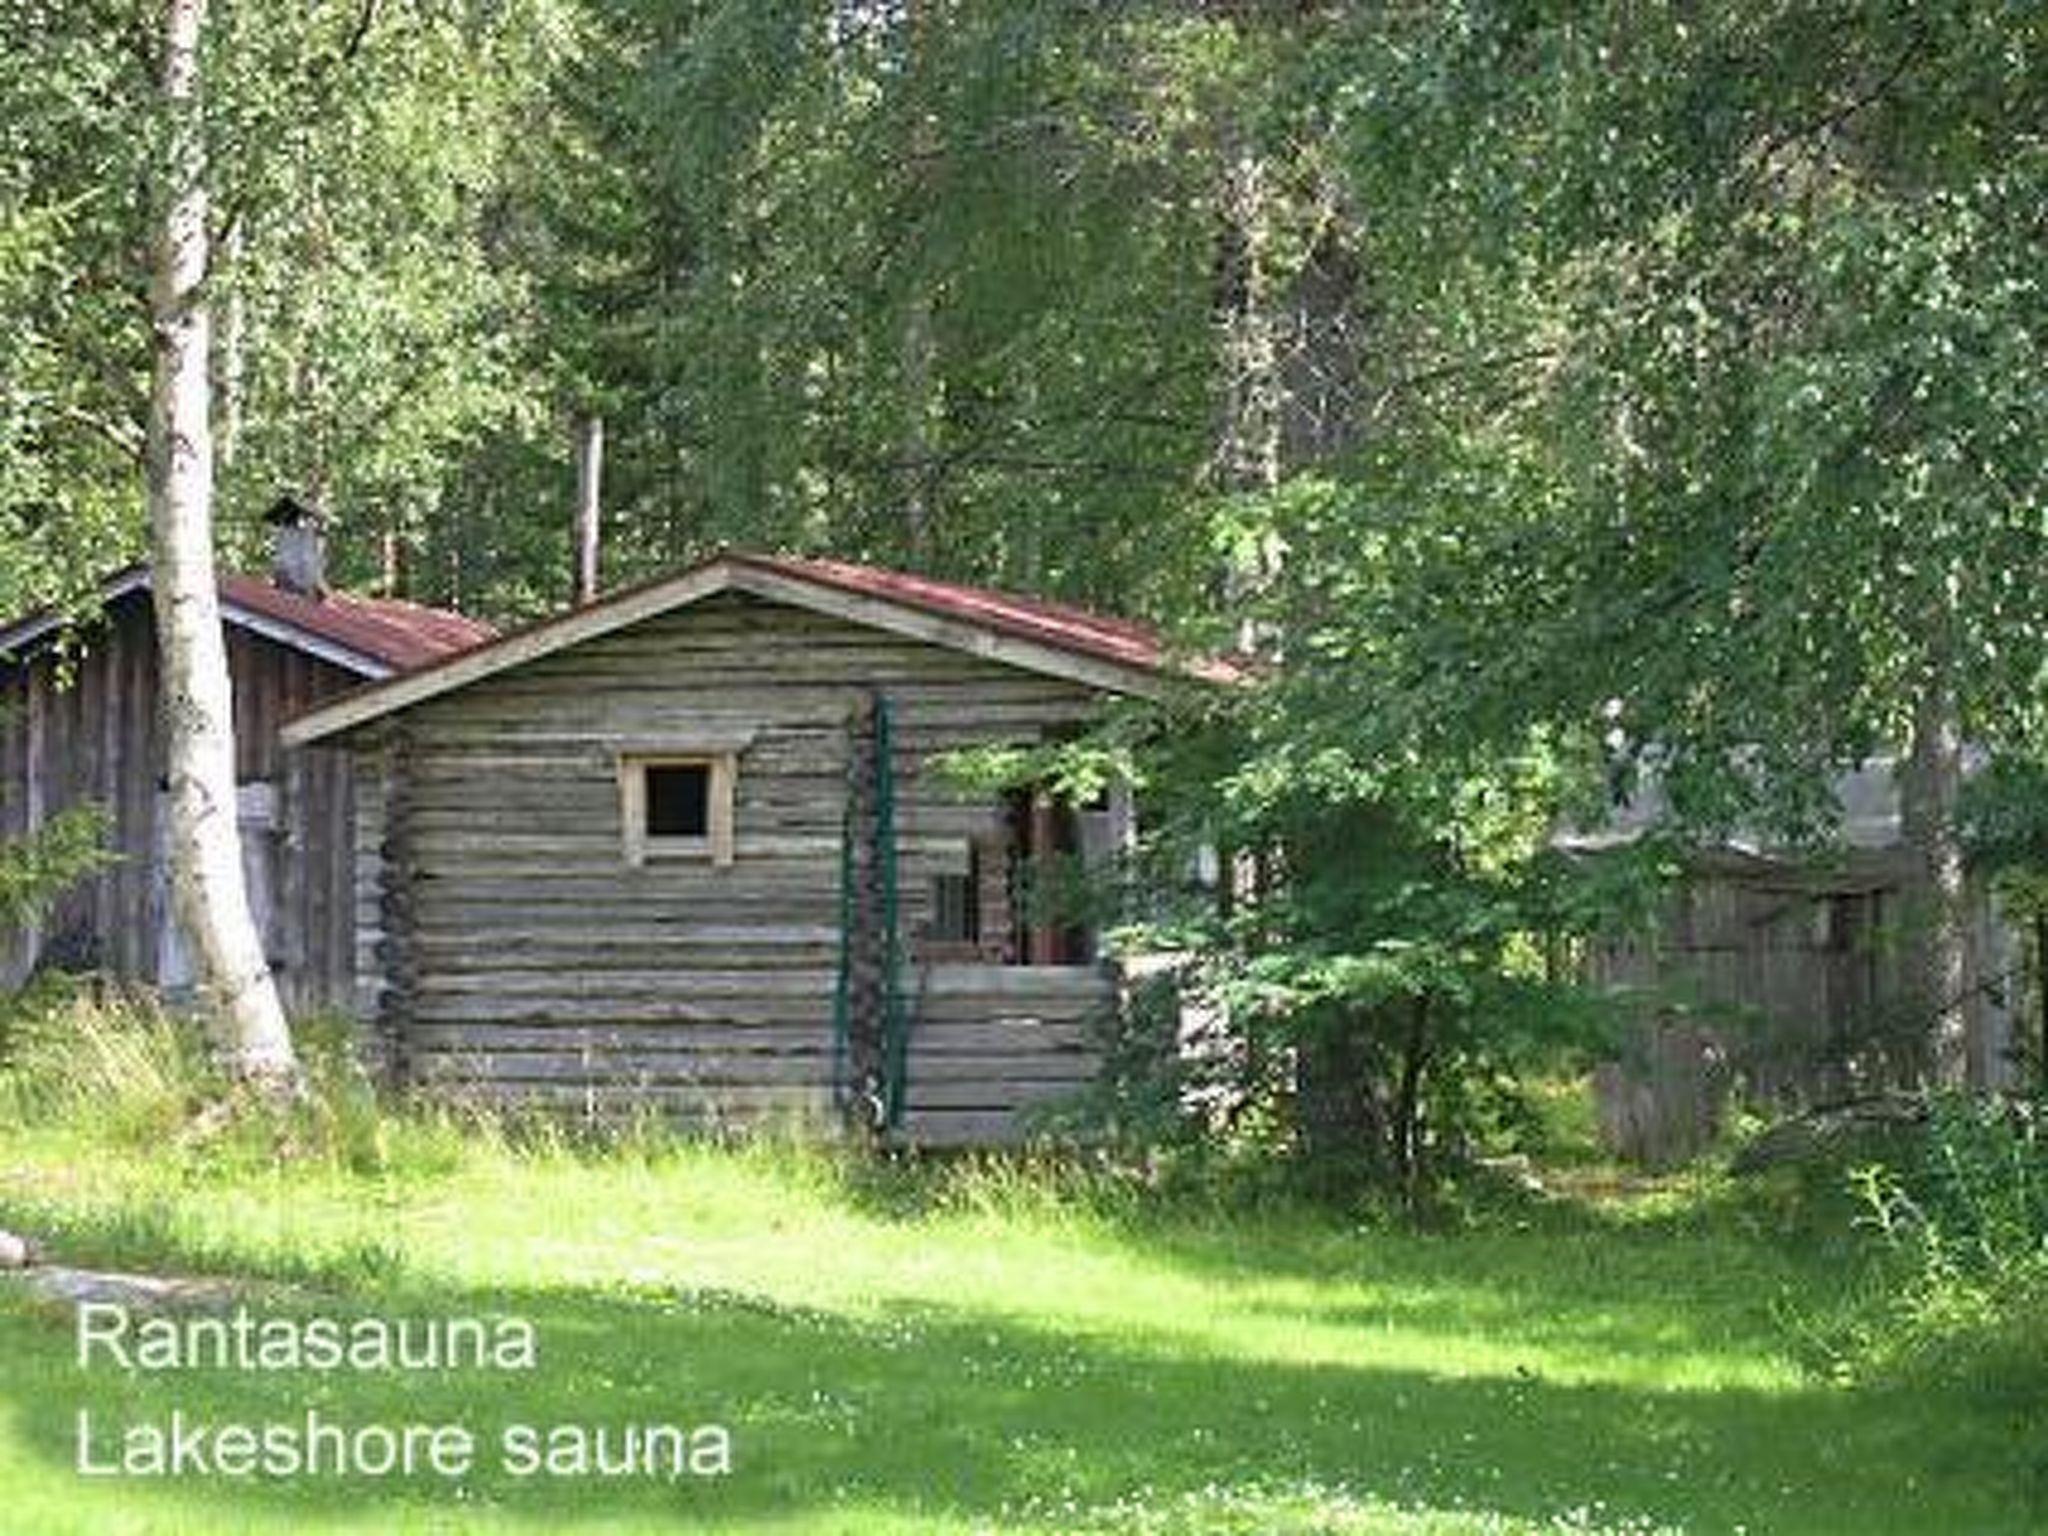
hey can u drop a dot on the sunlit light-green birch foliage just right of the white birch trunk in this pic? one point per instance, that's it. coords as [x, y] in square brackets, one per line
[376, 284]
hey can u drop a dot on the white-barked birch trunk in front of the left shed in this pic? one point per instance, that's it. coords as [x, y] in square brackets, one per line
[206, 843]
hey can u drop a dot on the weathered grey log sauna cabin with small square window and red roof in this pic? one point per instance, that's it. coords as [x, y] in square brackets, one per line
[689, 849]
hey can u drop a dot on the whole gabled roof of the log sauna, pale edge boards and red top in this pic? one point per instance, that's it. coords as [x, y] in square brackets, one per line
[1109, 654]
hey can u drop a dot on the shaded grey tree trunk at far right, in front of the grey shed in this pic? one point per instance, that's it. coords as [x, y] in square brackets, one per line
[1943, 931]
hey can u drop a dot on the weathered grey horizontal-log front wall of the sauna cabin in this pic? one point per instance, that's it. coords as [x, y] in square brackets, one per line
[519, 957]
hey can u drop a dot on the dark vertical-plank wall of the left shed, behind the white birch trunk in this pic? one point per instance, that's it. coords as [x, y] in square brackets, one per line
[81, 726]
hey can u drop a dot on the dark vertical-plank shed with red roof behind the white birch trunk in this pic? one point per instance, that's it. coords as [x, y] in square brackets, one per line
[79, 724]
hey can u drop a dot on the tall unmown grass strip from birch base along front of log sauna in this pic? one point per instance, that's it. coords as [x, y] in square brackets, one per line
[116, 1072]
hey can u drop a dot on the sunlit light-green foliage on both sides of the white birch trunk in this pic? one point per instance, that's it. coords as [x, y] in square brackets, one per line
[366, 286]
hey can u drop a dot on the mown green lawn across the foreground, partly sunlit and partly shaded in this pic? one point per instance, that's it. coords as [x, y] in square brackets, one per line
[976, 1355]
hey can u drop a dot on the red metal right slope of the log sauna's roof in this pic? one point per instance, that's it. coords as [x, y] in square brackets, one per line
[1050, 624]
